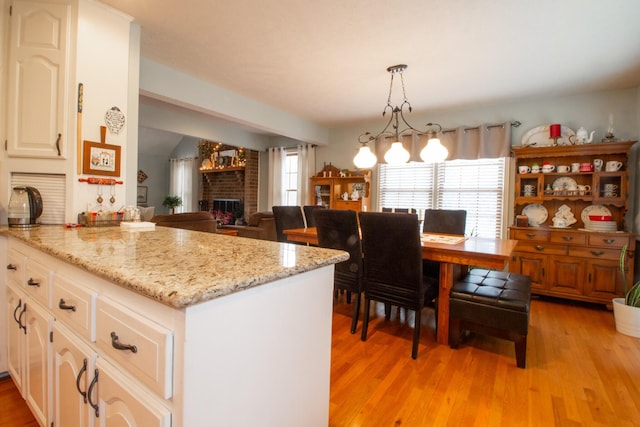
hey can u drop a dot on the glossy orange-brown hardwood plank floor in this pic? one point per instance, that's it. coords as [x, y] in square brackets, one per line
[580, 372]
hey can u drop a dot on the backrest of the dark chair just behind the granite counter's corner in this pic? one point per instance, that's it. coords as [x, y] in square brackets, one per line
[338, 229]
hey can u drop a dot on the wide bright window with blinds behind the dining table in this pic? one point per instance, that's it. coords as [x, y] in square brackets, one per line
[478, 186]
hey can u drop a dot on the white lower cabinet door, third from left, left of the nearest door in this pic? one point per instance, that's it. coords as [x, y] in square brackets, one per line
[73, 367]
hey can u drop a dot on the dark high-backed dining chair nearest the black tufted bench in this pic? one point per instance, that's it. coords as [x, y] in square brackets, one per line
[392, 255]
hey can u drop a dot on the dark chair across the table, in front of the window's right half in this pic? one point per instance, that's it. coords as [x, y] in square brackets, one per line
[441, 221]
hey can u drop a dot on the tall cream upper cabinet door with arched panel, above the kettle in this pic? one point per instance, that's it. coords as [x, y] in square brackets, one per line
[38, 84]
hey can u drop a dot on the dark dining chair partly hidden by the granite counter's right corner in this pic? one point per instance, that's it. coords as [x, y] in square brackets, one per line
[338, 229]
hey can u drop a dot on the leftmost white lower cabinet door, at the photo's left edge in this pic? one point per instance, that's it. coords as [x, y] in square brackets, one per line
[15, 336]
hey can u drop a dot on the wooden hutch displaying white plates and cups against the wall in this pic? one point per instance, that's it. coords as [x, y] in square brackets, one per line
[574, 262]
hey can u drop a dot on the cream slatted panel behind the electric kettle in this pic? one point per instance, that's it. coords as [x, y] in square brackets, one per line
[52, 189]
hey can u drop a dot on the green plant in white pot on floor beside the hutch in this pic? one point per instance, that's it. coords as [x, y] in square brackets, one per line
[626, 311]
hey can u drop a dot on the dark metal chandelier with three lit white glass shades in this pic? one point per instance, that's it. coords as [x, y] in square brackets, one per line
[433, 151]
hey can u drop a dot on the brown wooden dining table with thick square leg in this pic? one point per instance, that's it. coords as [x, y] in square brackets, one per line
[455, 254]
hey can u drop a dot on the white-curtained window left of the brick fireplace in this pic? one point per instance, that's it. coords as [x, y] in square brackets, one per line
[183, 175]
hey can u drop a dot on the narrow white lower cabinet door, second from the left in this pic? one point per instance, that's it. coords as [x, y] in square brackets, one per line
[39, 325]
